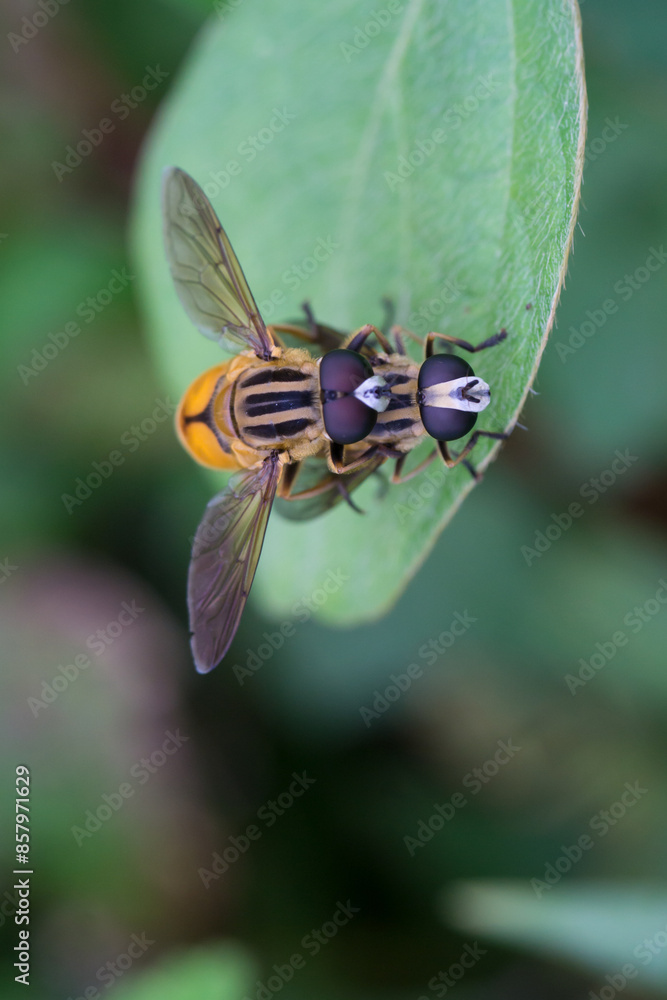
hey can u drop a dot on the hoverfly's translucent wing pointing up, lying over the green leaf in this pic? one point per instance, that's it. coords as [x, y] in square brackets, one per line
[208, 277]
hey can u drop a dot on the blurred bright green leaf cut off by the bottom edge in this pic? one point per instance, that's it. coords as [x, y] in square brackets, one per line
[214, 972]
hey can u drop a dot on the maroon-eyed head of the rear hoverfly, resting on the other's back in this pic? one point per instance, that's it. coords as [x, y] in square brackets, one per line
[351, 396]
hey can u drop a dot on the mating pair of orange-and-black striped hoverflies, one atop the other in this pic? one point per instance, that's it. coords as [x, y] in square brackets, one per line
[270, 409]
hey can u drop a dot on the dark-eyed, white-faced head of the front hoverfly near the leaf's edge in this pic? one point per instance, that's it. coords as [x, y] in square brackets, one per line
[450, 396]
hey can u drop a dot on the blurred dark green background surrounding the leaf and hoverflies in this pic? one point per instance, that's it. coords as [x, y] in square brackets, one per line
[99, 697]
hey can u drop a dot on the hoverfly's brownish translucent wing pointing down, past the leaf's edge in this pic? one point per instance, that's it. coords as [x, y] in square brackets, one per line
[224, 558]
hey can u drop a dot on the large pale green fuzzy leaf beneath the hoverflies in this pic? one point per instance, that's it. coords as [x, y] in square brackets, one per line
[299, 122]
